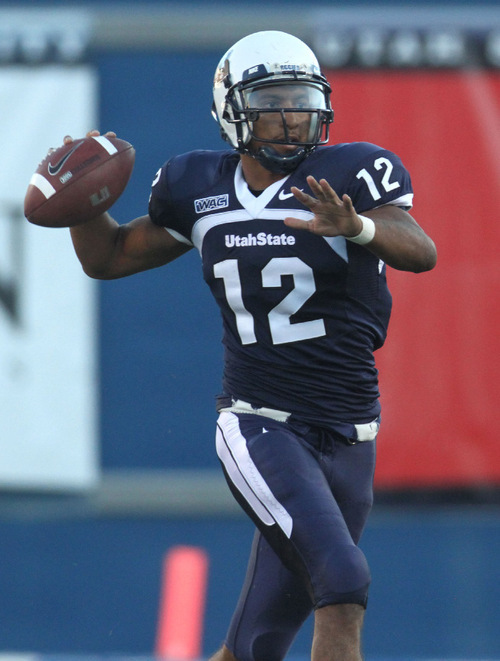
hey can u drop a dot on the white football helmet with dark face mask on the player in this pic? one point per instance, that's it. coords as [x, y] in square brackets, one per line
[245, 87]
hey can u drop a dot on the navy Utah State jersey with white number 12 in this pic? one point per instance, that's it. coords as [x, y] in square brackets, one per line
[302, 314]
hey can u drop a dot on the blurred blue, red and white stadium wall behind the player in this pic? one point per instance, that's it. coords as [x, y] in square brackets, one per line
[107, 390]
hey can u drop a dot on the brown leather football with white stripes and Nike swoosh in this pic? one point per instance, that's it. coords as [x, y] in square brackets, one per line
[78, 181]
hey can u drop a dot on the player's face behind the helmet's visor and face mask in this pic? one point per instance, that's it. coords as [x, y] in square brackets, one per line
[285, 113]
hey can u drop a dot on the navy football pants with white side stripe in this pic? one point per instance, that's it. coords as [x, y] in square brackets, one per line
[309, 492]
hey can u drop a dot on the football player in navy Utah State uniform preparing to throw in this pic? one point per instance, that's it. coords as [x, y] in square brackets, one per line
[294, 238]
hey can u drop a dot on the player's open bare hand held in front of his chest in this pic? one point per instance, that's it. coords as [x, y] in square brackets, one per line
[333, 216]
